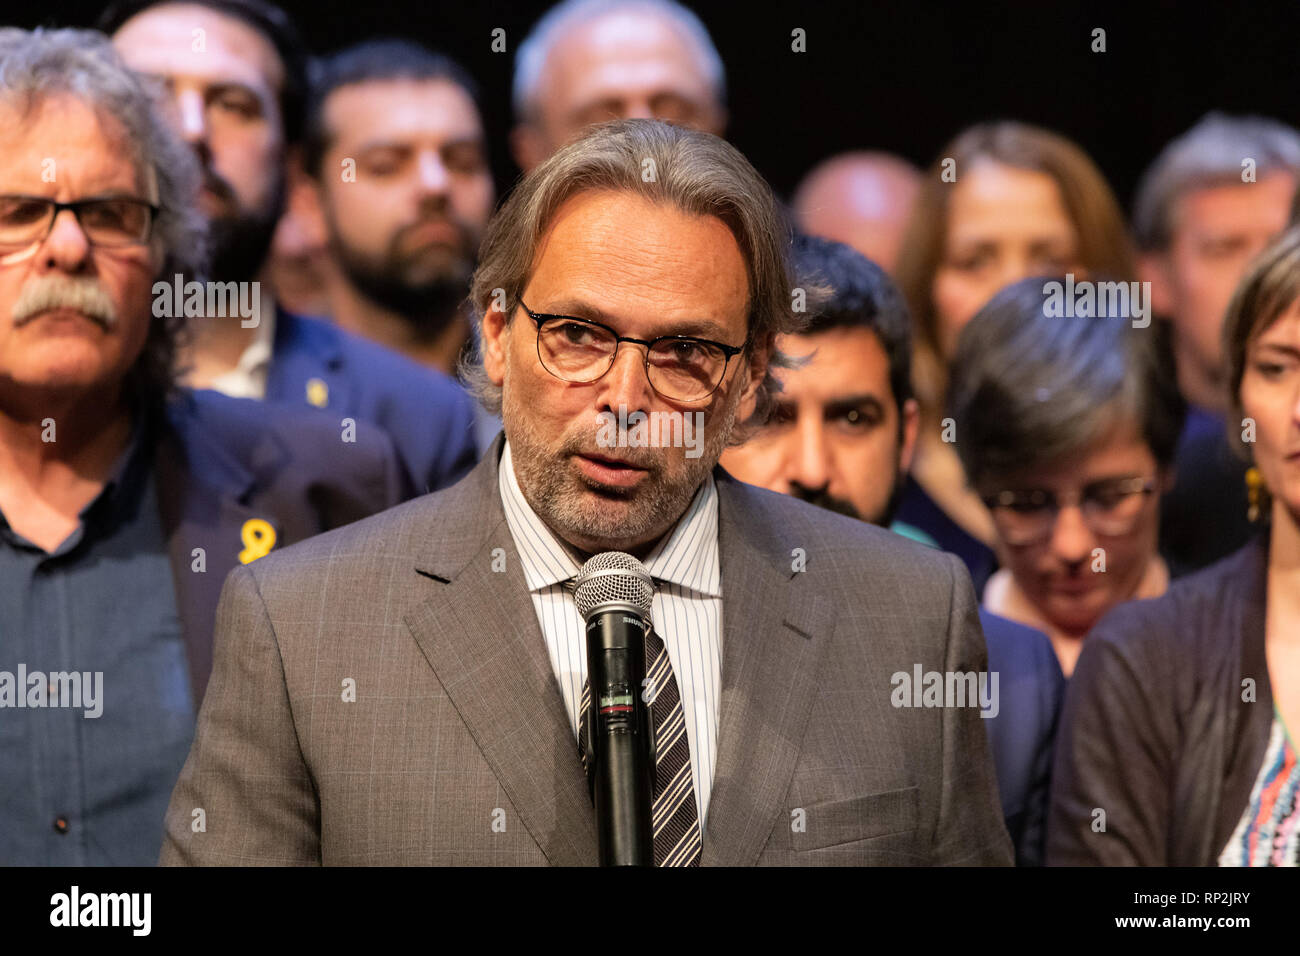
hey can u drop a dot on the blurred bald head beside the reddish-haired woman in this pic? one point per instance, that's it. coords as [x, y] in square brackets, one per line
[863, 200]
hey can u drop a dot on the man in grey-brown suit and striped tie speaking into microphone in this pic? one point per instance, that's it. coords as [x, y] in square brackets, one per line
[410, 690]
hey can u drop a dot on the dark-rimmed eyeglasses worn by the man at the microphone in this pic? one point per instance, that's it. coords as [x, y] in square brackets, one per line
[682, 369]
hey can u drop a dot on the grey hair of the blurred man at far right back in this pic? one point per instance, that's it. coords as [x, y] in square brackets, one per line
[1210, 154]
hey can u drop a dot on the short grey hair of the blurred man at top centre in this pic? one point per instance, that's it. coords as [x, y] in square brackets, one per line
[570, 15]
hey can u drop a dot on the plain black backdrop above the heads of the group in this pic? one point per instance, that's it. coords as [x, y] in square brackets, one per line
[899, 76]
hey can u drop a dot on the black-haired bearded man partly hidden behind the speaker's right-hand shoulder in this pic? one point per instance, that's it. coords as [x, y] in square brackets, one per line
[842, 436]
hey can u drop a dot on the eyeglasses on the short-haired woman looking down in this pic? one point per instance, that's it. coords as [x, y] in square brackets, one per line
[1111, 508]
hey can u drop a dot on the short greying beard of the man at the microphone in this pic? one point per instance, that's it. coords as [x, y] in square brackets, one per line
[565, 501]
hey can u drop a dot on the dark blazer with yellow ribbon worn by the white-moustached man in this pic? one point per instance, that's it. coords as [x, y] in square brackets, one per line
[226, 466]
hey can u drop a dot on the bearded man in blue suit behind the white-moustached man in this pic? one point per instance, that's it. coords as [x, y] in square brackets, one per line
[239, 102]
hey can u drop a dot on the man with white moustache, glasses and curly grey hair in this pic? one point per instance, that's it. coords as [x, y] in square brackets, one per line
[124, 501]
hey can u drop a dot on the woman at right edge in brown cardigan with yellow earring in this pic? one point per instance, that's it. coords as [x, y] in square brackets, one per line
[1182, 716]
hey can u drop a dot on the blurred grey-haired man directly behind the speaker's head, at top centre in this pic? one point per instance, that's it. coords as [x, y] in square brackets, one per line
[588, 62]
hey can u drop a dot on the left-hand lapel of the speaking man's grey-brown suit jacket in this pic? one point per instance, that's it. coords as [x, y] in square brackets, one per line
[480, 634]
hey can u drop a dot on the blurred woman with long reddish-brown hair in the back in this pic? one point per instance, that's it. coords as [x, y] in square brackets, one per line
[1004, 201]
